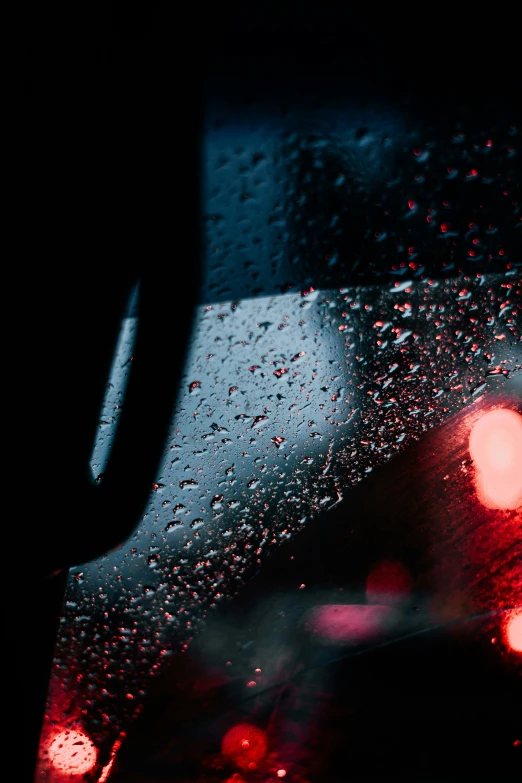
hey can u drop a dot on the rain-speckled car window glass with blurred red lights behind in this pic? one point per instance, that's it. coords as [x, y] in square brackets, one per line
[347, 399]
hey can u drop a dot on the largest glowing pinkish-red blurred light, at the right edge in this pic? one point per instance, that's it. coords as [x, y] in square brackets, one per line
[495, 446]
